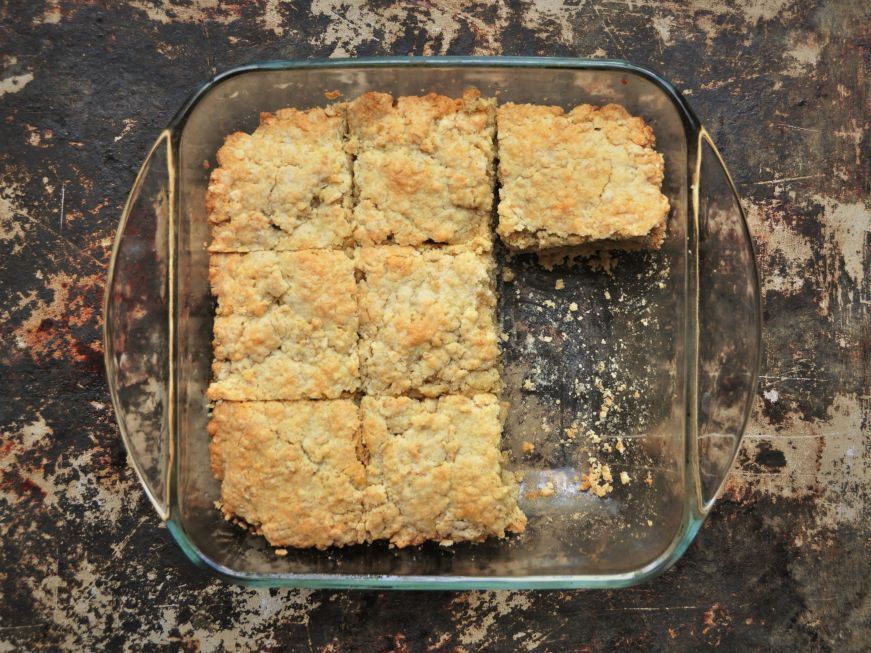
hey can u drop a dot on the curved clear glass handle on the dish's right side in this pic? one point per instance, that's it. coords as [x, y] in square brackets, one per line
[728, 318]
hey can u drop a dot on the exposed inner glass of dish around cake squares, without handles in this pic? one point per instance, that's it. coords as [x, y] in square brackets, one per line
[620, 348]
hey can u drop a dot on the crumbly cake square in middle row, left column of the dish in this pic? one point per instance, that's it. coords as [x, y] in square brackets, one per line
[286, 325]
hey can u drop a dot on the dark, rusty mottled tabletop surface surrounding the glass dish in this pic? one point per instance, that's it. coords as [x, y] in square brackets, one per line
[783, 563]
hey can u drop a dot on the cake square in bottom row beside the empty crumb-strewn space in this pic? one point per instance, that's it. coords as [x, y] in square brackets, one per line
[435, 470]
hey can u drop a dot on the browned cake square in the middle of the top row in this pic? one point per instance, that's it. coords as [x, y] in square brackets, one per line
[424, 168]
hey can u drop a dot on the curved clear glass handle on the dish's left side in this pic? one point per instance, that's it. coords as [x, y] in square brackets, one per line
[137, 335]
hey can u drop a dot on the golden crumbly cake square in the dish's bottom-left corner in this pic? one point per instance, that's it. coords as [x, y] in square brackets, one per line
[291, 470]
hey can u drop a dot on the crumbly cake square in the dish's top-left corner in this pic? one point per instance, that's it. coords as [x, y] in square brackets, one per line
[287, 186]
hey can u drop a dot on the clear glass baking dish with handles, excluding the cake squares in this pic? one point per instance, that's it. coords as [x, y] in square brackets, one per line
[659, 349]
